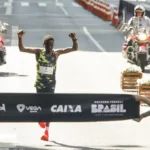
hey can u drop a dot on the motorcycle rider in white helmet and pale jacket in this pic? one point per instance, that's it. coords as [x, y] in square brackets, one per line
[144, 21]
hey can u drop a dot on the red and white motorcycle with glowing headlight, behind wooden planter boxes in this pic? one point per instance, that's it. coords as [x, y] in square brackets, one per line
[139, 54]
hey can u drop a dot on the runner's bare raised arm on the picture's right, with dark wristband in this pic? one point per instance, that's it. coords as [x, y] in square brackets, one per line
[69, 49]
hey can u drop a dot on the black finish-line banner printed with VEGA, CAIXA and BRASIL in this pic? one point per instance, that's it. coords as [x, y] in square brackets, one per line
[67, 107]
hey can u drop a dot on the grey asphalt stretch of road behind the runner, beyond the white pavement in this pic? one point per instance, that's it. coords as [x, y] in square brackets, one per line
[59, 21]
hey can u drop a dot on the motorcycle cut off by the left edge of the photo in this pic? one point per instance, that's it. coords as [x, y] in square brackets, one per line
[3, 32]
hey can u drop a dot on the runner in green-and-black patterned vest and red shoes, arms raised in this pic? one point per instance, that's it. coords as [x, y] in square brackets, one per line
[46, 67]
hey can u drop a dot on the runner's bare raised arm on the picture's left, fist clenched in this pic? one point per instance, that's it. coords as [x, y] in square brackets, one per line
[22, 48]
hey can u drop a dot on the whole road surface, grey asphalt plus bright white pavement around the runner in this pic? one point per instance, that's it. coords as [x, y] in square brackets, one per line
[87, 71]
